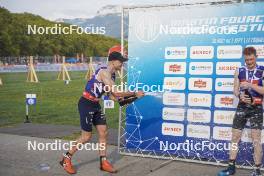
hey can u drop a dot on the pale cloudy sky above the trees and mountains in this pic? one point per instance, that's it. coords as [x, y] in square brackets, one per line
[54, 9]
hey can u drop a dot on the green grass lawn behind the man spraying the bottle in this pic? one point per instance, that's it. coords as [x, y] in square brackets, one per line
[56, 102]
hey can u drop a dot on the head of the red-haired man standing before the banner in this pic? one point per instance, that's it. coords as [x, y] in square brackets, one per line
[250, 55]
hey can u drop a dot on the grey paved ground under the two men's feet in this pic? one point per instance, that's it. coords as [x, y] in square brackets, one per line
[16, 159]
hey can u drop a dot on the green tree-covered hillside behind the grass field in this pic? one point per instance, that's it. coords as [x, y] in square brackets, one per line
[15, 40]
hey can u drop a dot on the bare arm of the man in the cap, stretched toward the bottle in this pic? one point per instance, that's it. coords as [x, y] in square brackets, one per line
[105, 77]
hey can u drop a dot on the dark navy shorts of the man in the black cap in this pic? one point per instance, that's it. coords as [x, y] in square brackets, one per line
[90, 114]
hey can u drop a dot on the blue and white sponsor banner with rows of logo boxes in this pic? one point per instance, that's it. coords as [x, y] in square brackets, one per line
[192, 52]
